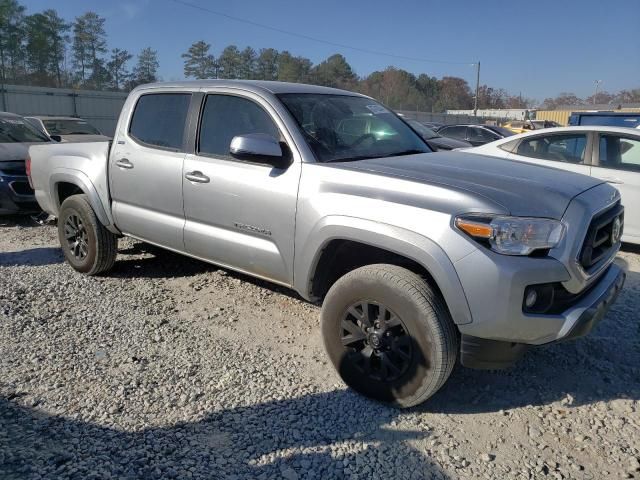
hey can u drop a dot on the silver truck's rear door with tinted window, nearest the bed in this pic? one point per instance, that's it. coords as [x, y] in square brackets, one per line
[145, 170]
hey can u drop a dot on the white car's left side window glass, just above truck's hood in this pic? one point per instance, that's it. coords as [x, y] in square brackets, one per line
[562, 148]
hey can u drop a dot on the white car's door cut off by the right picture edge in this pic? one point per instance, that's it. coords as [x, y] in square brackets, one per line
[617, 161]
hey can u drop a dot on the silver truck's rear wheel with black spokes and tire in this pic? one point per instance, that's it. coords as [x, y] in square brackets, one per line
[87, 245]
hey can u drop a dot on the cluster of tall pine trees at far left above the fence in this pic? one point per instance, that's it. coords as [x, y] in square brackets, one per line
[43, 49]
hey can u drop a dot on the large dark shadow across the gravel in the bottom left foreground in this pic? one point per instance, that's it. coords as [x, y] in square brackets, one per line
[296, 438]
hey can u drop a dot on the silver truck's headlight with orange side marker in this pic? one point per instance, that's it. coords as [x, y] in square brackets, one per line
[512, 235]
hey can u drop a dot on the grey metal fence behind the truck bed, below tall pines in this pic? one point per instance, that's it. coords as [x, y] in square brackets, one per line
[101, 109]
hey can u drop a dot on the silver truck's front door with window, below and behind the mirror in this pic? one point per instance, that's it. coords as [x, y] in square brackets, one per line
[240, 214]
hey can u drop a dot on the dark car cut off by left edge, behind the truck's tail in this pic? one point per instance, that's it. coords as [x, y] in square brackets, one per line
[16, 135]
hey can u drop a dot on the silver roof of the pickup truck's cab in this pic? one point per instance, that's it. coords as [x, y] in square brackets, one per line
[258, 86]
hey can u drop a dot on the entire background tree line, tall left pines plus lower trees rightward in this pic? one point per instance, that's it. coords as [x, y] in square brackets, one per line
[43, 49]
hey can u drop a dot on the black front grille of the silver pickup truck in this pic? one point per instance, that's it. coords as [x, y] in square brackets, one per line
[599, 242]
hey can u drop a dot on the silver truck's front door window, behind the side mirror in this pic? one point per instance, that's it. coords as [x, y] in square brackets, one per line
[225, 117]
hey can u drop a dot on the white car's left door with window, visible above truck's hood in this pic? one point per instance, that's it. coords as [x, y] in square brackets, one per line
[568, 151]
